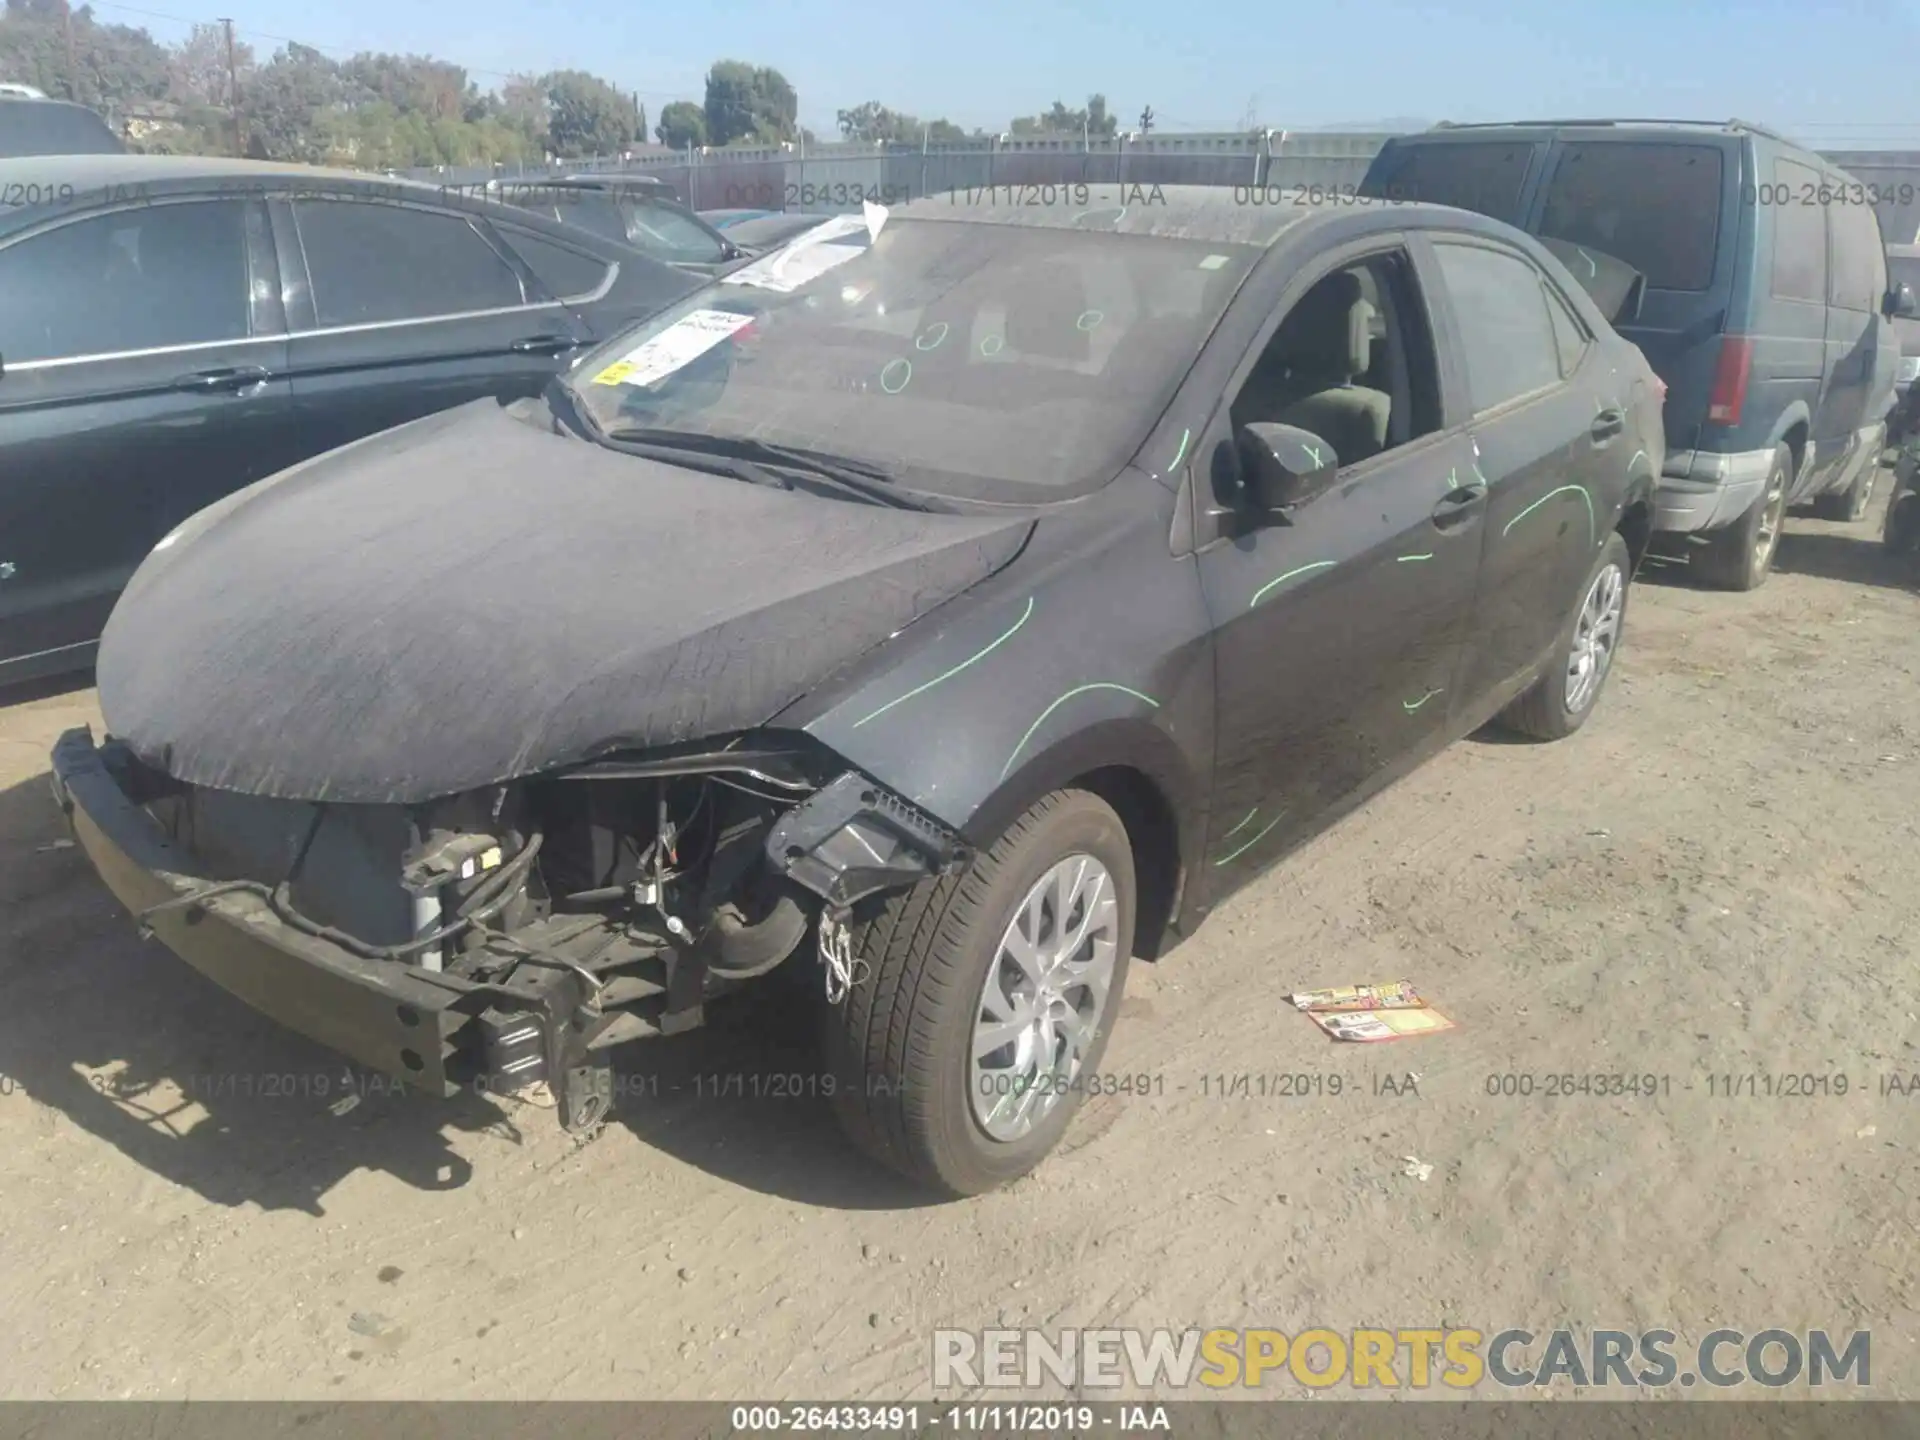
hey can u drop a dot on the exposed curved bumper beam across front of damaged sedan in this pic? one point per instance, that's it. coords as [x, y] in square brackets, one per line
[431, 1030]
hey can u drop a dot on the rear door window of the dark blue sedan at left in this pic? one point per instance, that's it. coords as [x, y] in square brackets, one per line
[375, 264]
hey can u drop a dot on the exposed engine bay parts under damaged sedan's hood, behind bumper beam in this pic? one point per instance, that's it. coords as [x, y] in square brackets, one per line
[577, 911]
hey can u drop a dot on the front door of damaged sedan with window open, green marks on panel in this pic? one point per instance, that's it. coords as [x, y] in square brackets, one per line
[1339, 633]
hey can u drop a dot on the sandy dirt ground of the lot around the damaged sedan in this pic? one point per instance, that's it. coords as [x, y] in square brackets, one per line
[1712, 880]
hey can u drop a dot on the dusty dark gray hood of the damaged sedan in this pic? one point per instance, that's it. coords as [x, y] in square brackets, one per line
[471, 600]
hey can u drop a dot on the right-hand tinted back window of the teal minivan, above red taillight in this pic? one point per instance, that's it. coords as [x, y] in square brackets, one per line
[1654, 206]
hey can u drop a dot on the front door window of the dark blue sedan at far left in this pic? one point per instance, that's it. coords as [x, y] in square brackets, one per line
[137, 279]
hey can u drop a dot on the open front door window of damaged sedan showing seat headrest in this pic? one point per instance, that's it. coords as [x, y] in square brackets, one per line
[1353, 364]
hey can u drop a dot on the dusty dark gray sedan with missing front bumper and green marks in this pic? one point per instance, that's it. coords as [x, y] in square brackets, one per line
[944, 612]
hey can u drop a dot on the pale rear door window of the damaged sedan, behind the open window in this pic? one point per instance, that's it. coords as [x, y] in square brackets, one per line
[1506, 333]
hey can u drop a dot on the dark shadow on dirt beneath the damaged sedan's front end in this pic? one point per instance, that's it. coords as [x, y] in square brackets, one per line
[122, 1040]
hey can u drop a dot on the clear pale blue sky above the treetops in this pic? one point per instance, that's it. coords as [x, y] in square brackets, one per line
[1833, 72]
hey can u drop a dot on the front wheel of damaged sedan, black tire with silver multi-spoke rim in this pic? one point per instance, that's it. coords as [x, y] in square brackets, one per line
[982, 999]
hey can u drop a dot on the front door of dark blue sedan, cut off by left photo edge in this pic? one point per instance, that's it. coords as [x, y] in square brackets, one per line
[145, 375]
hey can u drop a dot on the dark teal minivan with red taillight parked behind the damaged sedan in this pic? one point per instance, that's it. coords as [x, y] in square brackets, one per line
[1764, 302]
